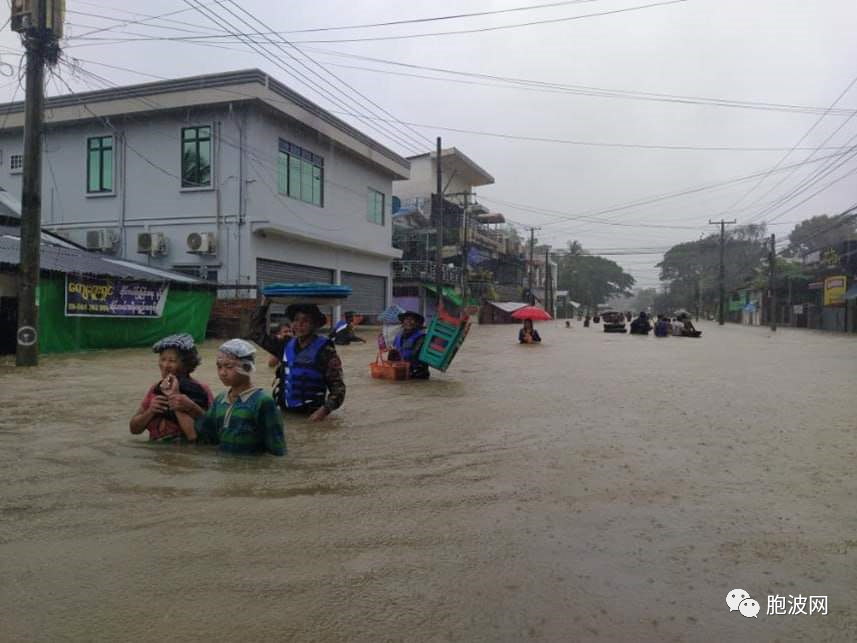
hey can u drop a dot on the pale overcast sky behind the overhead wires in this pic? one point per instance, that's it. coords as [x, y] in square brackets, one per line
[784, 52]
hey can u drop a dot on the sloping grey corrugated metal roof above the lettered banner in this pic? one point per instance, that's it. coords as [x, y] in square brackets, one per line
[69, 259]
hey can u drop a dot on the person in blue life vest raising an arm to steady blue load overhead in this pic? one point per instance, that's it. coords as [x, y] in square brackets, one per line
[310, 380]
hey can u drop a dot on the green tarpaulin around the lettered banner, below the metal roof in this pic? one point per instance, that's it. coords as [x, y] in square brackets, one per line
[186, 311]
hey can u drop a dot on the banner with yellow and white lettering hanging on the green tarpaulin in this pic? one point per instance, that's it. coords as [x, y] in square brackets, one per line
[87, 296]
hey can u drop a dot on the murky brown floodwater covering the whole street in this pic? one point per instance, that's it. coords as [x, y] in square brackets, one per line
[597, 487]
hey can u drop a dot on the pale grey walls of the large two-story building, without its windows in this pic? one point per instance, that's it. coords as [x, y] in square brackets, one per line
[242, 200]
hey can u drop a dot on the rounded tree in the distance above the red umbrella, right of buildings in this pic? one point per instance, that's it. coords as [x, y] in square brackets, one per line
[591, 279]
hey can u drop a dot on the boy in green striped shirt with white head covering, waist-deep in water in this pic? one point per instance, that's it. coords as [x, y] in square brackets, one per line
[244, 419]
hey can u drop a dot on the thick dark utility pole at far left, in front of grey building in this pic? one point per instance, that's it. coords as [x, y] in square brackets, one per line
[40, 25]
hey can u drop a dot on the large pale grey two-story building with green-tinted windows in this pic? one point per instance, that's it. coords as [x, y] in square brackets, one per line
[232, 177]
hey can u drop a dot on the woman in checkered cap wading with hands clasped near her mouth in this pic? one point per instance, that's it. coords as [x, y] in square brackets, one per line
[171, 405]
